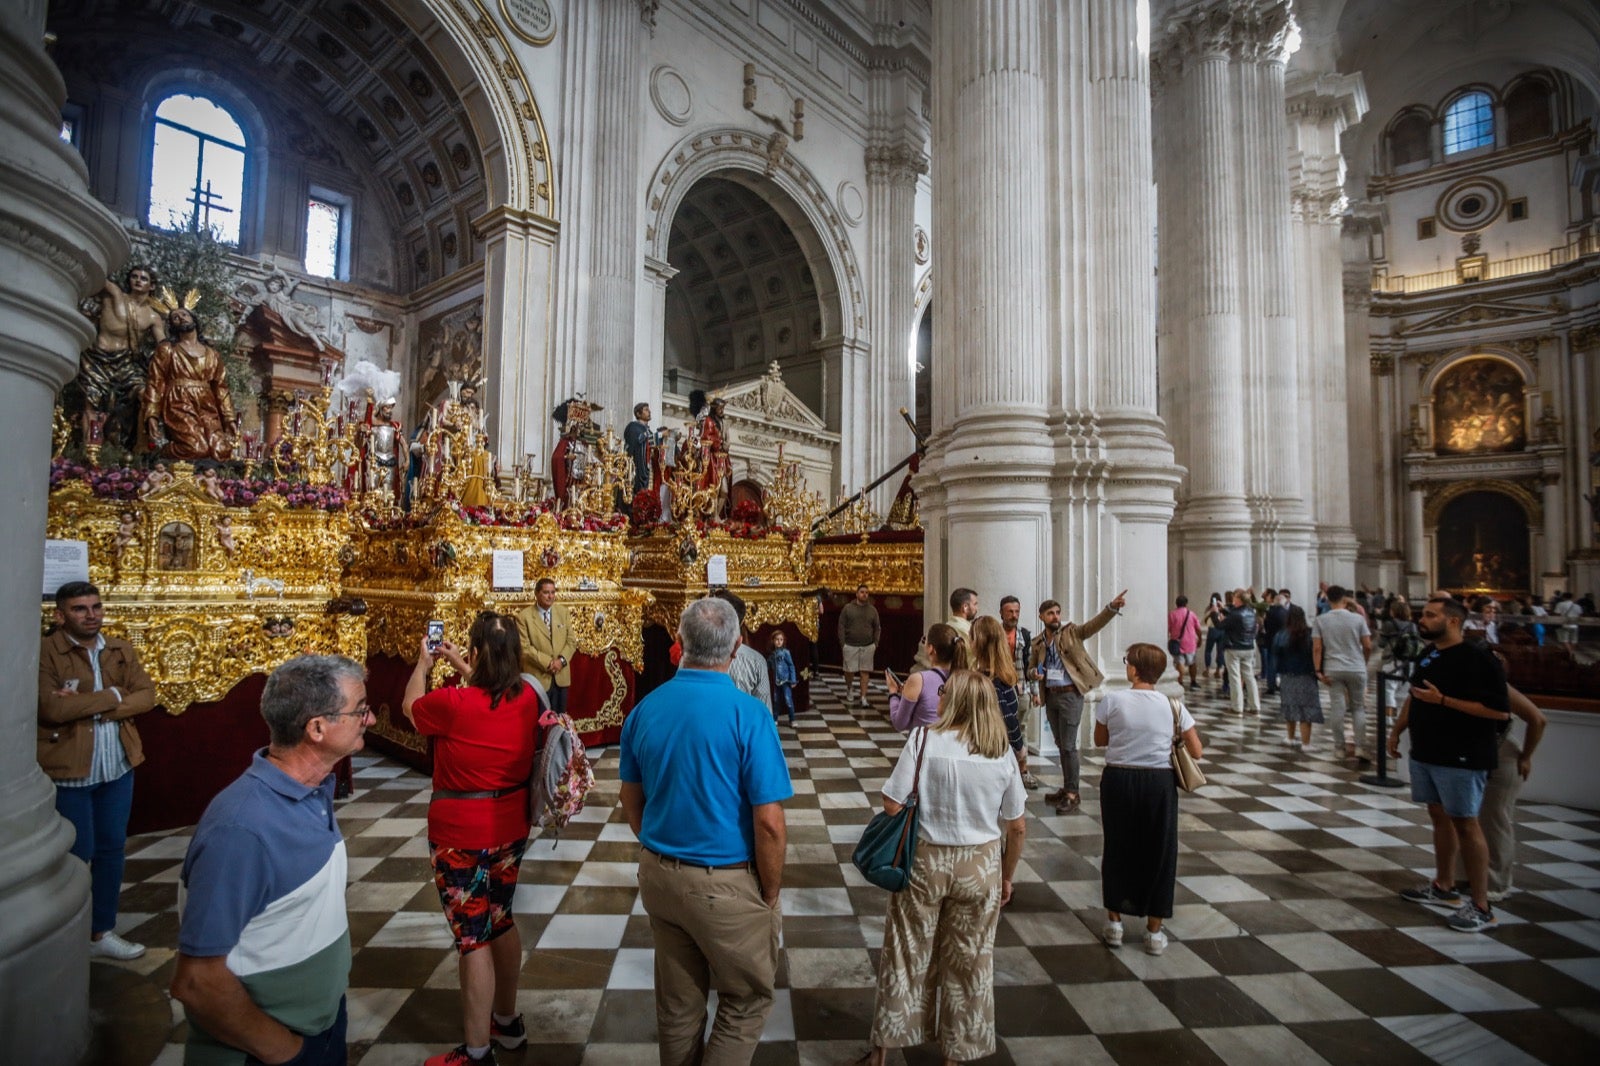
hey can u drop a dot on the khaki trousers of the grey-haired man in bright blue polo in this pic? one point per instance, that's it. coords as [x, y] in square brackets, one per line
[711, 931]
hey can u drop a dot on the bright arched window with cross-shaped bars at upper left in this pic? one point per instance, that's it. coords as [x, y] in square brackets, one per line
[198, 167]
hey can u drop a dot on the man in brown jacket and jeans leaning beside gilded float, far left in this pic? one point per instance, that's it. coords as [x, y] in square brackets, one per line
[90, 687]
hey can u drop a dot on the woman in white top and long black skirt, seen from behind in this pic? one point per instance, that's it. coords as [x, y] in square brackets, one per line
[1140, 798]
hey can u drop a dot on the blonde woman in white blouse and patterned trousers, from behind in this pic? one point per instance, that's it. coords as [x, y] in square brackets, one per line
[937, 971]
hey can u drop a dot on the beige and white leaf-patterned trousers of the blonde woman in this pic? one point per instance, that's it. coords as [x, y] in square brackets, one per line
[937, 976]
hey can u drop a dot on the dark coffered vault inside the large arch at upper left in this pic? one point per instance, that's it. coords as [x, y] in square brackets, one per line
[348, 86]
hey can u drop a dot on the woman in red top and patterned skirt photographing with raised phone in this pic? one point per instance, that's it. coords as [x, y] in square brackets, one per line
[486, 735]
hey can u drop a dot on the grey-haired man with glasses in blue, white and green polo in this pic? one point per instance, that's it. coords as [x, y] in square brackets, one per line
[263, 940]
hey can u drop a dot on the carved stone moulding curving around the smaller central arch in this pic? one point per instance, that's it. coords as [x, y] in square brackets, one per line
[743, 156]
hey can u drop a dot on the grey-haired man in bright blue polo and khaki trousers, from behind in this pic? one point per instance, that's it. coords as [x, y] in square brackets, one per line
[703, 788]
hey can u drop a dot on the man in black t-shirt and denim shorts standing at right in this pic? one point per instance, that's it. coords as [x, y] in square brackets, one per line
[1457, 707]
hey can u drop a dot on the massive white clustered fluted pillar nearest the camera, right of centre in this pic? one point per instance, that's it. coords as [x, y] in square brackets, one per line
[1049, 471]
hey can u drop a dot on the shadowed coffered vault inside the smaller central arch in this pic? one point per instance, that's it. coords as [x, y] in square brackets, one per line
[745, 294]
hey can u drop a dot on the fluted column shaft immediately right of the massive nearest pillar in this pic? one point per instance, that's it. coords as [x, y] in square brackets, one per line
[1196, 164]
